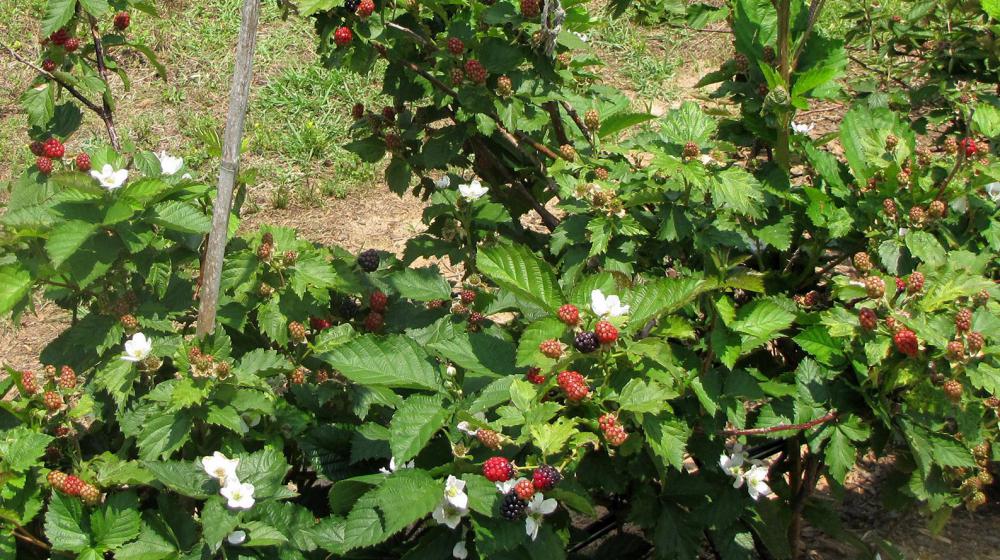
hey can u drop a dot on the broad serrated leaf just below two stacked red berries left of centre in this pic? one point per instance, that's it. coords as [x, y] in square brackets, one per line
[394, 361]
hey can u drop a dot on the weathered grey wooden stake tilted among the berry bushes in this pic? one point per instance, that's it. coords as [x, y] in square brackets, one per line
[239, 95]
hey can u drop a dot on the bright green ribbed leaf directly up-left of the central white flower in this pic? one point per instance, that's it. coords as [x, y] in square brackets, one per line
[518, 270]
